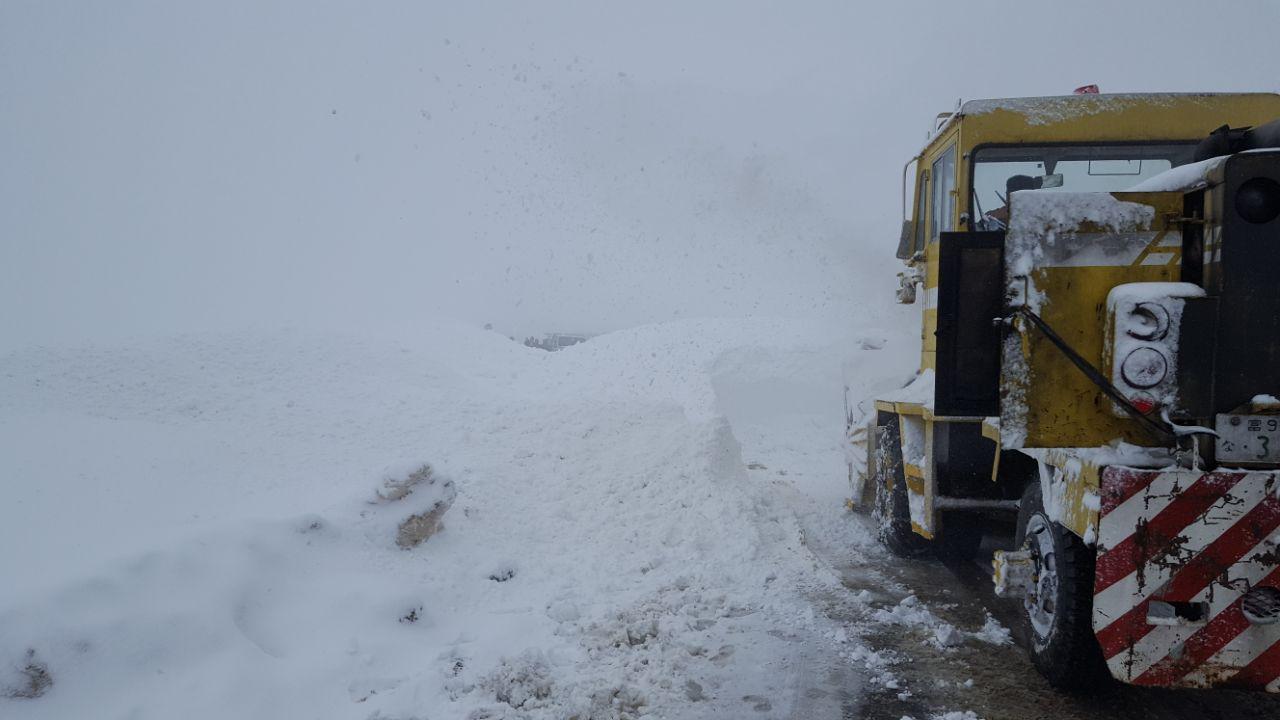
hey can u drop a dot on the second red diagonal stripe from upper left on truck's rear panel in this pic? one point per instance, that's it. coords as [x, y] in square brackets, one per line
[1155, 537]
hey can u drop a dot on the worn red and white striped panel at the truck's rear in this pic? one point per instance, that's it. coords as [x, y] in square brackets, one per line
[1187, 537]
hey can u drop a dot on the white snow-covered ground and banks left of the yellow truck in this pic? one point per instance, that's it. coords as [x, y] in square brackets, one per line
[193, 525]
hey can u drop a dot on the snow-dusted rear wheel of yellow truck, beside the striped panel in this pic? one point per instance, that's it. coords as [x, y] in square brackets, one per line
[1059, 607]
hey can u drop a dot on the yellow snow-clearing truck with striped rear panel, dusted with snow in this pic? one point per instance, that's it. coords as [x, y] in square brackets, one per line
[1100, 279]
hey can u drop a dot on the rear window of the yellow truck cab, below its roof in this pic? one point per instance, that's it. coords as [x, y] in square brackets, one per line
[1068, 168]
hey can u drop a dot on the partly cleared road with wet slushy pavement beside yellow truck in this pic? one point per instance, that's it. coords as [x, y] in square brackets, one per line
[929, 640]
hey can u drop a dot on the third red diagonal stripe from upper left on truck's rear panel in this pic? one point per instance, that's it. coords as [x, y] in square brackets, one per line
[1196, 576]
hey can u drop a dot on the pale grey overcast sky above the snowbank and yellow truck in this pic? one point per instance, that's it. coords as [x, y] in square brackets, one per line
[537, 166]
